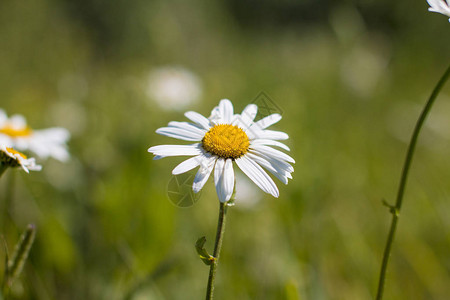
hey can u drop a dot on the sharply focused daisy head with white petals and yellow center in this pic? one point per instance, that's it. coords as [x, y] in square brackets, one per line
[224, 138]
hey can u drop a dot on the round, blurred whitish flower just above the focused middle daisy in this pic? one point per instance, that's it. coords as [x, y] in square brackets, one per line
[173, 88]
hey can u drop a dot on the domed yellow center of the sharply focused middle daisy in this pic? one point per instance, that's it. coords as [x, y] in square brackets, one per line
[227, 141]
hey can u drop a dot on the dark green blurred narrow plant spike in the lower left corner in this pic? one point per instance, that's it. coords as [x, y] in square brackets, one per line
[20, 255]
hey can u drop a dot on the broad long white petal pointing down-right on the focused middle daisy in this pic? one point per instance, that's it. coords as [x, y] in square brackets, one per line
[257, 175]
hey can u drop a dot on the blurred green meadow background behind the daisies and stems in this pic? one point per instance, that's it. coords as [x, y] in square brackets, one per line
[350, 78]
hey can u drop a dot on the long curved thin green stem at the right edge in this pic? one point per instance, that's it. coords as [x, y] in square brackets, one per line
[395, 210]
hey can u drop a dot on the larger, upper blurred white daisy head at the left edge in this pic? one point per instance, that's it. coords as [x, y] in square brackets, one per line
[51, 142]
